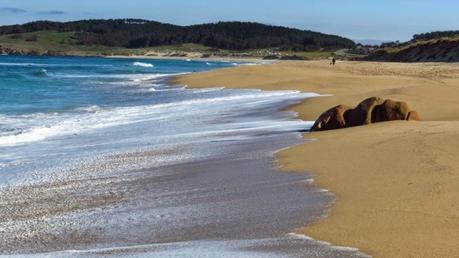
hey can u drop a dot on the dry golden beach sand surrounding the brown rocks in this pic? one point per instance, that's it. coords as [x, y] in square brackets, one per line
[396, 183]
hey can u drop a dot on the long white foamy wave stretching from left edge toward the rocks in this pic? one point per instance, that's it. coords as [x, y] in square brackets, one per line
[39, 127]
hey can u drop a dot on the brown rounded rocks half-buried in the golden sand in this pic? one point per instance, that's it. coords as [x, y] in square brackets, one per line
[371, 110]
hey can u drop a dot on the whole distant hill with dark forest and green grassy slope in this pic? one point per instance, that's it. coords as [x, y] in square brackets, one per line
[132, 34]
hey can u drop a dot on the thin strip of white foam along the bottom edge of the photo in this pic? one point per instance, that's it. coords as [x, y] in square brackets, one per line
[213, 248]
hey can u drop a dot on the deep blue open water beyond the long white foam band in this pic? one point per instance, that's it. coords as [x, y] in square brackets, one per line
[58, 84]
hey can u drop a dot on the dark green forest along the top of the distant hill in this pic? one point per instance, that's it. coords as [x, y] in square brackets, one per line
[136, 33]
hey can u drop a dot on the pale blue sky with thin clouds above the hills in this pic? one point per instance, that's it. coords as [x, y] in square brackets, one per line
[384, 20]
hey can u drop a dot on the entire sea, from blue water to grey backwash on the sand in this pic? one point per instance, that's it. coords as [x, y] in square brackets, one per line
[102, 156]
